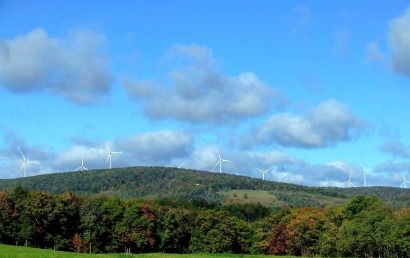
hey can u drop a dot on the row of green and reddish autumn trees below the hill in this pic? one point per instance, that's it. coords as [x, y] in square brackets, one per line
[363, 227]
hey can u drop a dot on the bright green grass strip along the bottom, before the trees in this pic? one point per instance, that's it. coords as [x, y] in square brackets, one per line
[7, 251]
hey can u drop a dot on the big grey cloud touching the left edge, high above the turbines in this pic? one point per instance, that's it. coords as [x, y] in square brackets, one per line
[75, 68]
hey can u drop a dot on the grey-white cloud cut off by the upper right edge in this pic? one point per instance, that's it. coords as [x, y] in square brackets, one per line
[399, 40]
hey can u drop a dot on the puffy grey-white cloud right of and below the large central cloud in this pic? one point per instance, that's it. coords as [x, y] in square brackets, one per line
[329, 123]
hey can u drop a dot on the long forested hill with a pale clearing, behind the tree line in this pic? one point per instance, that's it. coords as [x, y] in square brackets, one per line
[188, 185]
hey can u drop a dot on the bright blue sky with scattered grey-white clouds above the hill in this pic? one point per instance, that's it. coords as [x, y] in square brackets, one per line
[314, 91]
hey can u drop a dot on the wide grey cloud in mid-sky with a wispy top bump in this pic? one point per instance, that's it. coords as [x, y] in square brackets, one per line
[197, 92]
